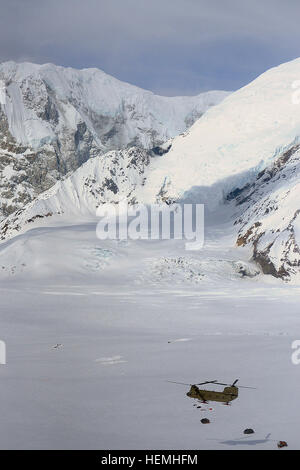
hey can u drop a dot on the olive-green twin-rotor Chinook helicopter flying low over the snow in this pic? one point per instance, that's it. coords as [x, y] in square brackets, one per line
[229, 393]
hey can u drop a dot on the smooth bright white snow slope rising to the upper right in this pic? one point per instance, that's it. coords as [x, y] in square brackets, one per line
[233, 141]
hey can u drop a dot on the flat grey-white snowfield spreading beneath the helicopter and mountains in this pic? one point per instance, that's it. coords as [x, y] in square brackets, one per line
[94, 329]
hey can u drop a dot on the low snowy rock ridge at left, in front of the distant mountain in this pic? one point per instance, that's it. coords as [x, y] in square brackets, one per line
[106, 179]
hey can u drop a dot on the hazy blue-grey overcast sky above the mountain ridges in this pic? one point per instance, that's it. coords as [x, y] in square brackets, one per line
[168, 46]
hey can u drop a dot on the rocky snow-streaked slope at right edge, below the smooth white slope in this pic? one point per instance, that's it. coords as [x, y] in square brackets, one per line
[270, 216]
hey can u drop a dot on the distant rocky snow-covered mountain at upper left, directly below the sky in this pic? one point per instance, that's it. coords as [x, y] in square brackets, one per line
[53, 119]
